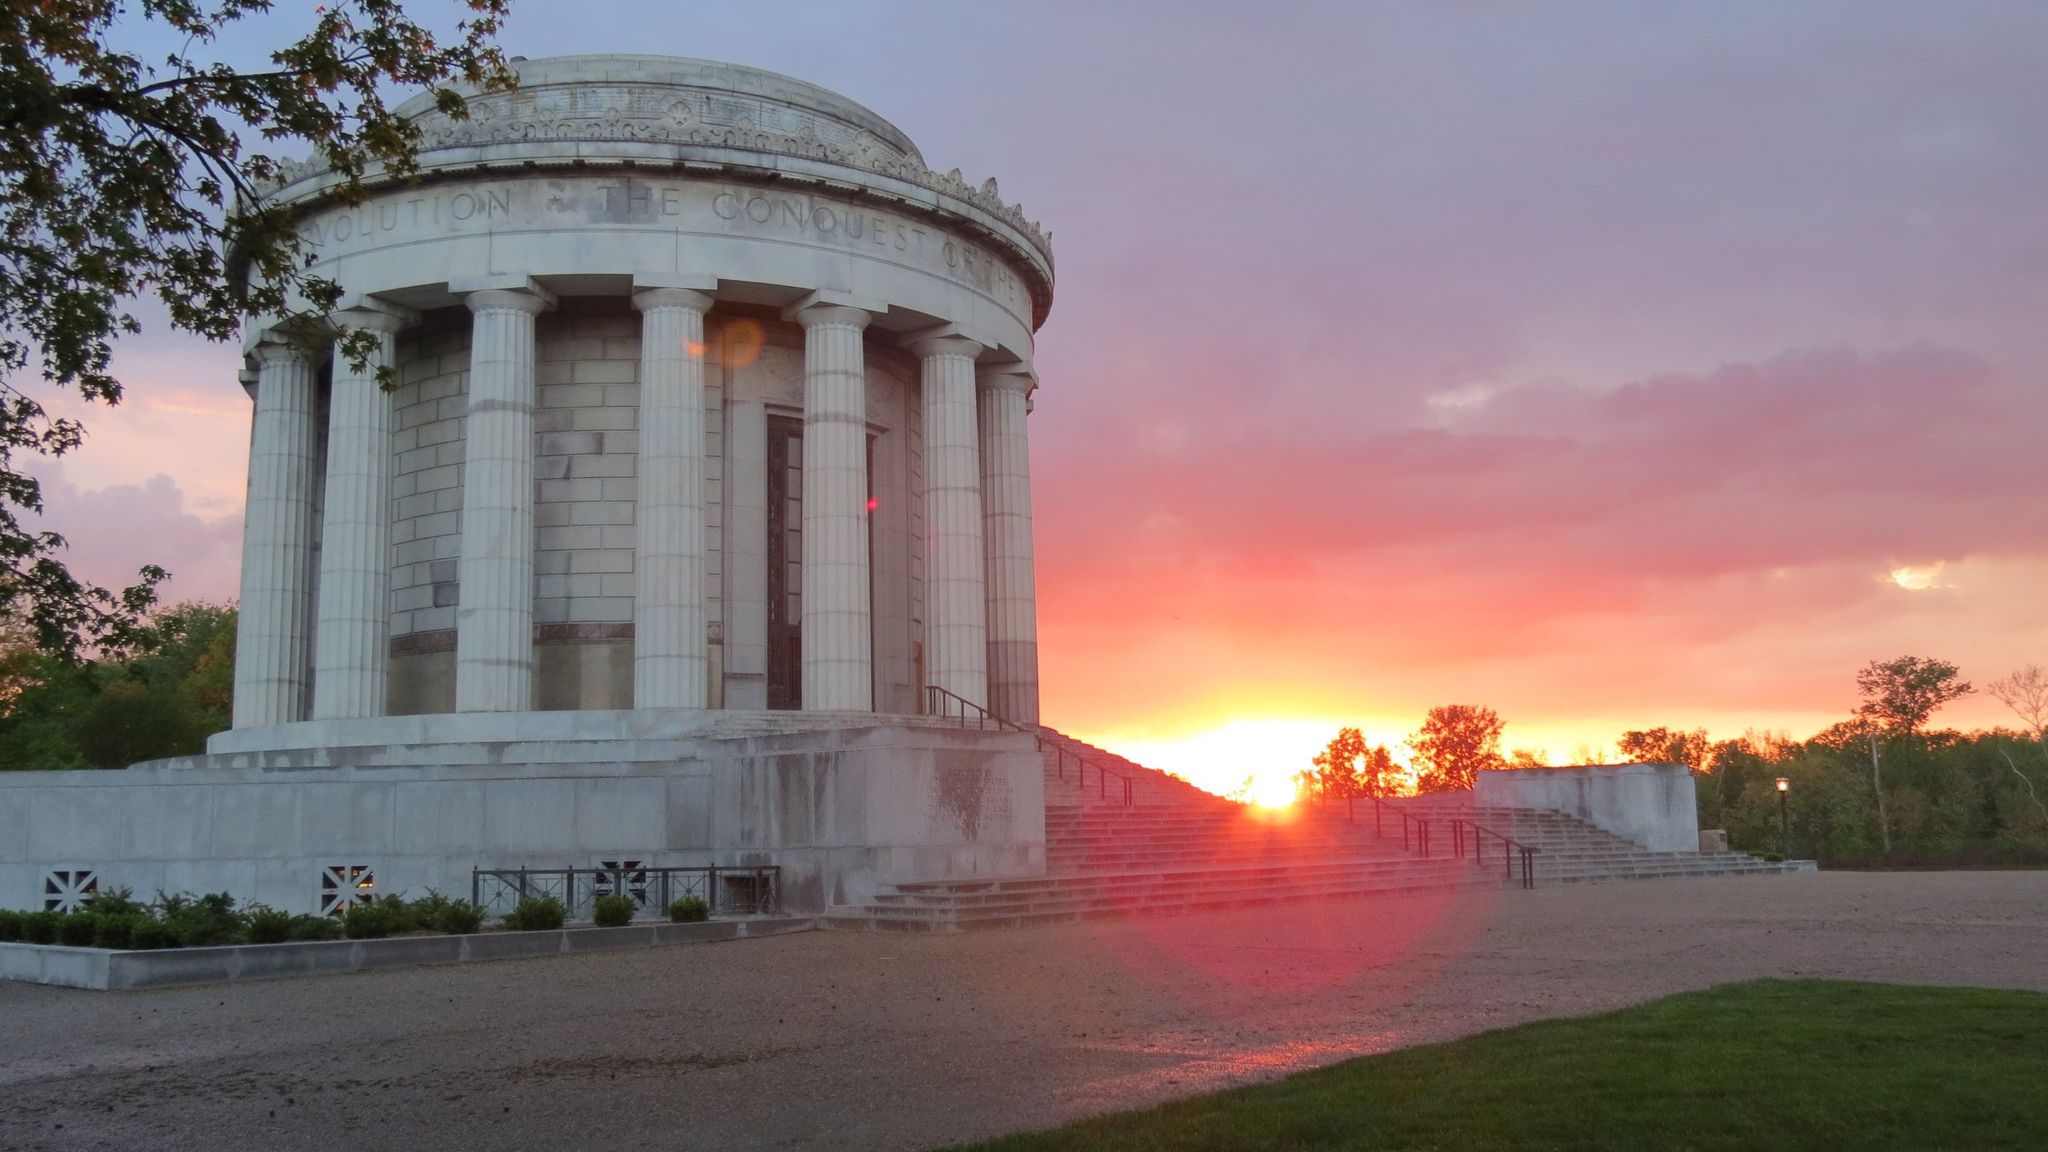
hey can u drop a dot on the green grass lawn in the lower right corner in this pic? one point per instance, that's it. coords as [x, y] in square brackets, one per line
[1742, 1069]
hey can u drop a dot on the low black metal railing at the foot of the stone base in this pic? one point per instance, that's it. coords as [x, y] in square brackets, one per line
[724, 891]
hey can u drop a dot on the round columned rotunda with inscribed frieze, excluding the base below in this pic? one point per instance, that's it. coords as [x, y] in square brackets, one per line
[710, 397]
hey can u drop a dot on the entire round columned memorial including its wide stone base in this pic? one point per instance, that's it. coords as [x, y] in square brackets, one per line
[697, 513]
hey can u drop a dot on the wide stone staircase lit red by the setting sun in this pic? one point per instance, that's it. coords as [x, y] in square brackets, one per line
[1179, 850]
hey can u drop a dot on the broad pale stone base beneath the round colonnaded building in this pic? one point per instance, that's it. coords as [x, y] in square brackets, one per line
[845, 805]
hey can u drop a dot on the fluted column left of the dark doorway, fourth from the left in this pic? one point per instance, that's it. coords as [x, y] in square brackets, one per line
[669, 614]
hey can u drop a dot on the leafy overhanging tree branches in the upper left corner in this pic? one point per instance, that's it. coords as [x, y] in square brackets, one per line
[124, 177]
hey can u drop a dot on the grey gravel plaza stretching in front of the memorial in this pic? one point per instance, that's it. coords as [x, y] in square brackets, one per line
[851, 1040]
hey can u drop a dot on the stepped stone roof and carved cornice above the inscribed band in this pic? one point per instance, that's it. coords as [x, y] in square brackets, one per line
[703, 122]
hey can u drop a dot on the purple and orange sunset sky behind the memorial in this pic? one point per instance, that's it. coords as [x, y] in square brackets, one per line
[1607, 366]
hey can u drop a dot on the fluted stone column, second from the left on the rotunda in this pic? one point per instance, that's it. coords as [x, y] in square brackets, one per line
[353, 620]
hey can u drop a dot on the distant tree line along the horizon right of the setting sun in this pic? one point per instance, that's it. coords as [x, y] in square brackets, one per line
[1881, 786]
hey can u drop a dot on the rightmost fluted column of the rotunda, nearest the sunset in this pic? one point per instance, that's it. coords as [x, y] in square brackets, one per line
[1007, 516]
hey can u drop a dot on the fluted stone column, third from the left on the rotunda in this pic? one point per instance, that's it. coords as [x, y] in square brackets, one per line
[495, 608]
